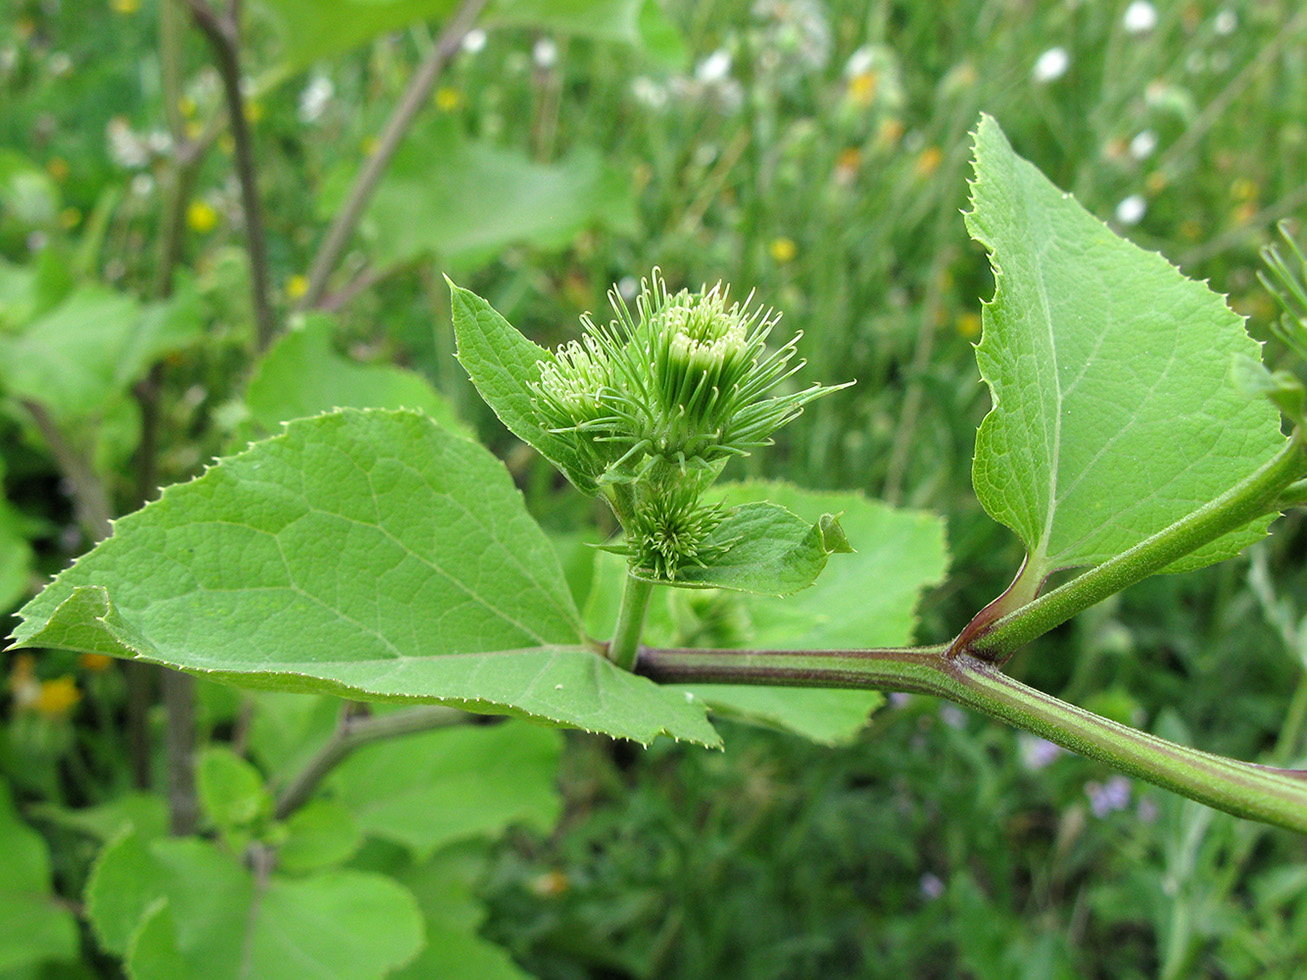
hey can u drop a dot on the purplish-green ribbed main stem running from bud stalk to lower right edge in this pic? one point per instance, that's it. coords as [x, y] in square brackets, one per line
[1241, 789]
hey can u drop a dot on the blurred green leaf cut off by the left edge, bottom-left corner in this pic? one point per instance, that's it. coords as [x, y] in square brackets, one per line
[35, 924]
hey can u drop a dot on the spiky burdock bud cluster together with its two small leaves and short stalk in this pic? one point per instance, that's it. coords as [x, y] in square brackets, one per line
[645, 411]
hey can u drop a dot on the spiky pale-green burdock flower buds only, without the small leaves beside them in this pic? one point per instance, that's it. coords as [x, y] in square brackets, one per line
[655, 403]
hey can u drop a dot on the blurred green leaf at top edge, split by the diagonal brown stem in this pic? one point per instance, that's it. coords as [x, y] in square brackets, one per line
[310, 32]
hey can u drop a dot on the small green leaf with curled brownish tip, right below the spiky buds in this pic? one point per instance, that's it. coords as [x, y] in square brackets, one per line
[772, 552]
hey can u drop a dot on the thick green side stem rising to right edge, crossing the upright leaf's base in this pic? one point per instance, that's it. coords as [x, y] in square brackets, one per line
[1251, 498]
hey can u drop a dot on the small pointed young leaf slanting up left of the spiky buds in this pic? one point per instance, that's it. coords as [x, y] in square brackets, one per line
[503, 364]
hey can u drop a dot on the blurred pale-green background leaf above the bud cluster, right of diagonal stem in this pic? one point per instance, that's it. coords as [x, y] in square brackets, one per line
[467, 202]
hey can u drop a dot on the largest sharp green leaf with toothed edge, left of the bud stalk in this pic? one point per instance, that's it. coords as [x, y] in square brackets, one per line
[369, 555]
